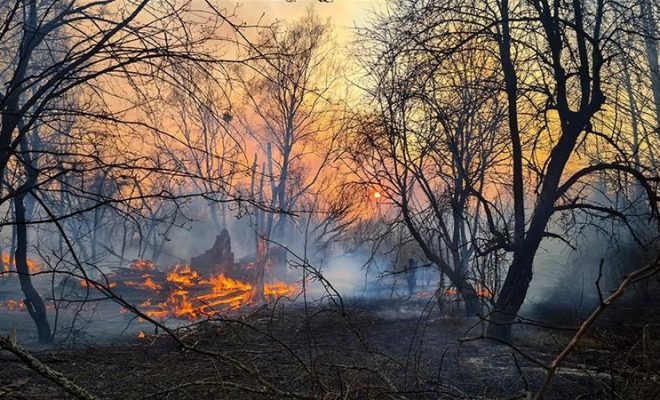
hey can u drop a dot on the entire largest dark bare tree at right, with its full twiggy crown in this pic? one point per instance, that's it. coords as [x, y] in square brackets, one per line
[553, 59]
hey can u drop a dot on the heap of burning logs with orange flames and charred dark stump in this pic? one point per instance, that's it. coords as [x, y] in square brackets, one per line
[212, 285]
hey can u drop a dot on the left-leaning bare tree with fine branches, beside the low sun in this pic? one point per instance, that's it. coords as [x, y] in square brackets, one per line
[430, 141]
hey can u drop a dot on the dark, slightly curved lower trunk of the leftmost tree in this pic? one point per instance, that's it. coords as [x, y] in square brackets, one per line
[33, 302]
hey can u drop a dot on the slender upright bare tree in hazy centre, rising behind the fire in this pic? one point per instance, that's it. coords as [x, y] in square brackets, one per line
[290, 98]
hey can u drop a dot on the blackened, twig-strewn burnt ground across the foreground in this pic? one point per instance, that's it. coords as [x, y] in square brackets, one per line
[384, 349]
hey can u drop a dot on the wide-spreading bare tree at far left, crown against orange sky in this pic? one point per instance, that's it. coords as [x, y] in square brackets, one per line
[96, 63]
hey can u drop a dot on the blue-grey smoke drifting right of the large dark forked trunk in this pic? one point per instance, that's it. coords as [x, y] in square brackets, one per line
[567, 280]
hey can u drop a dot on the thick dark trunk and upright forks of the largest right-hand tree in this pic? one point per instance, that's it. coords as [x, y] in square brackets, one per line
[573, 123]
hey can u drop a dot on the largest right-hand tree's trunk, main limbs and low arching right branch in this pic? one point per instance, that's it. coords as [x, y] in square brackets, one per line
[574, 95]
